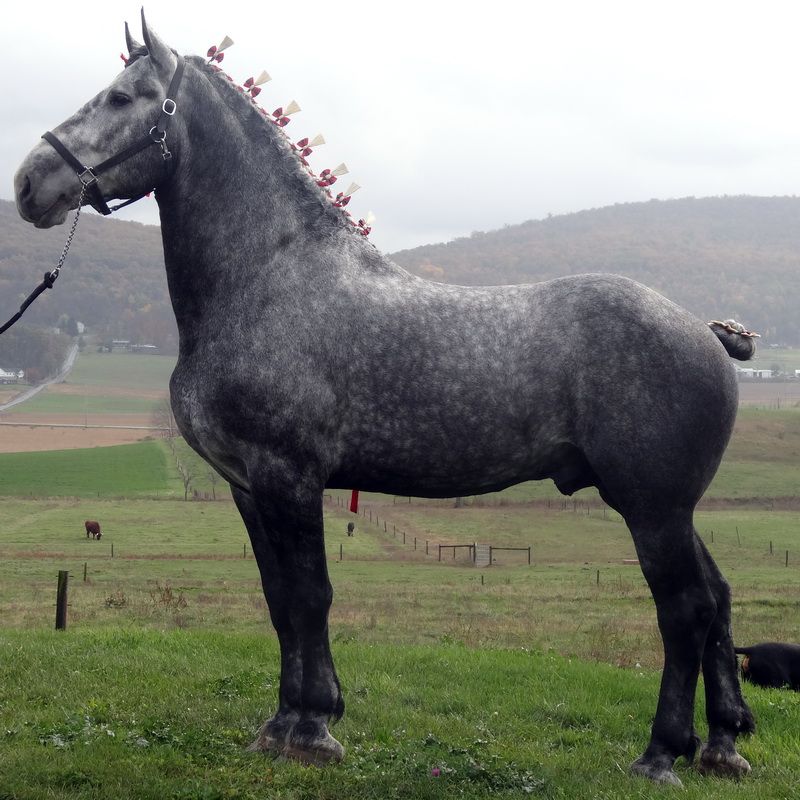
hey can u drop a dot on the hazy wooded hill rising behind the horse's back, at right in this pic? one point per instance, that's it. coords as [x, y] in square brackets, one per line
[719, 257]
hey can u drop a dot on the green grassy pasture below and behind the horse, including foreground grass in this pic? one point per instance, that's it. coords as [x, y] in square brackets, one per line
[510, 680]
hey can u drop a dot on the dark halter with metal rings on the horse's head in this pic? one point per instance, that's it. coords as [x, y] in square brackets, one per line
[88, 176]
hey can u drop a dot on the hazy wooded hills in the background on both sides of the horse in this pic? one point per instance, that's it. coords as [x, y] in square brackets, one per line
[719, 257]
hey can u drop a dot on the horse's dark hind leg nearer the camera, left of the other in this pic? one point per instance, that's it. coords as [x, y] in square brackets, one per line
[686, 607]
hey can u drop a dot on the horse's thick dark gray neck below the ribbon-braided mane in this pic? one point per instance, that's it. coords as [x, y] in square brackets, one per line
[236, 200]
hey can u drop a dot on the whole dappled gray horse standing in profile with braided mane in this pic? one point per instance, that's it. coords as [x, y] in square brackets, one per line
[309, 360]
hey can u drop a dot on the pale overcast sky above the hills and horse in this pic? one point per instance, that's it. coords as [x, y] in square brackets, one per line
[457, 116]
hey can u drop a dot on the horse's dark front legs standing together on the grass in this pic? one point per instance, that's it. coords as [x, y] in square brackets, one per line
[286, 534]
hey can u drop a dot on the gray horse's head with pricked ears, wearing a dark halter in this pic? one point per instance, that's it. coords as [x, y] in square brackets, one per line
[121, 118]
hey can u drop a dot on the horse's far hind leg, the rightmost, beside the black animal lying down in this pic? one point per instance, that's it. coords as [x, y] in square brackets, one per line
[726, 710]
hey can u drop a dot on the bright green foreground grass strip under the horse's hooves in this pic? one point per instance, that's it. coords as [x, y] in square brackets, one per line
[145, 715]
